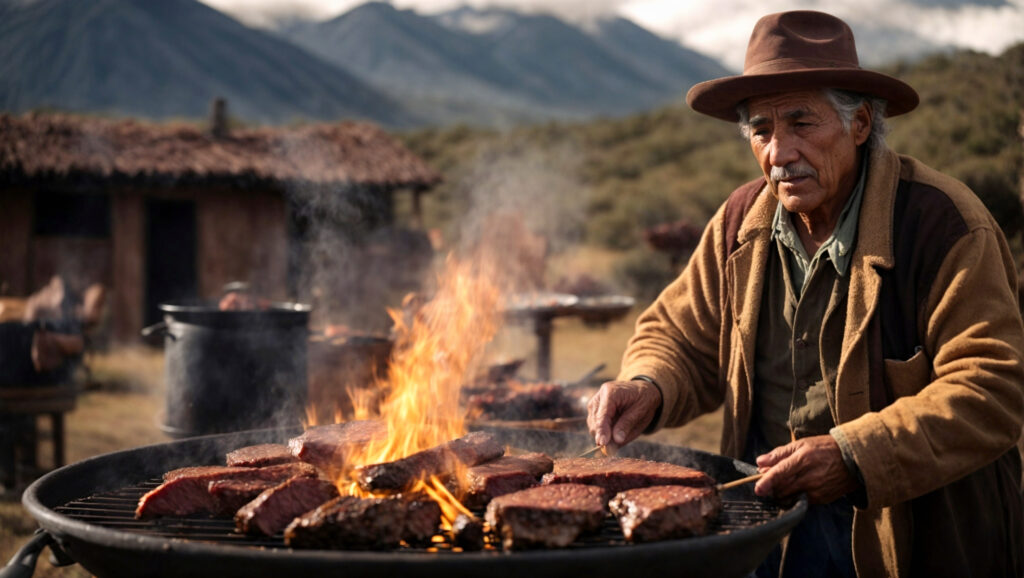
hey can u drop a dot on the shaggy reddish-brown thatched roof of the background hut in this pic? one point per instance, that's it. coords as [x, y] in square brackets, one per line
[59, 147]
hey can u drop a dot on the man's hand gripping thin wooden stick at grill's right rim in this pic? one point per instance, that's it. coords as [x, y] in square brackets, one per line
[810, 465]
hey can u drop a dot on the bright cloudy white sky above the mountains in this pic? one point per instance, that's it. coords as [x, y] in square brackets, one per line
[717, 28]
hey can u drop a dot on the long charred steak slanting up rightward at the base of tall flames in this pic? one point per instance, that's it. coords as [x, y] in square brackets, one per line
[473, 449]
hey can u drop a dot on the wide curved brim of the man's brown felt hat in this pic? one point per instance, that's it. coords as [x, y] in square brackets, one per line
[719, 98]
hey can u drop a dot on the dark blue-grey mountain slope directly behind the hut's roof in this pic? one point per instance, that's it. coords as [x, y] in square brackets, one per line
[169, 59]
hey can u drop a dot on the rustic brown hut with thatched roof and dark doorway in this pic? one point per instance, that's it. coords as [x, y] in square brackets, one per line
[159, 213]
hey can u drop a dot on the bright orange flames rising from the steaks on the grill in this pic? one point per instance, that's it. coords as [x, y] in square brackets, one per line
[439, 346]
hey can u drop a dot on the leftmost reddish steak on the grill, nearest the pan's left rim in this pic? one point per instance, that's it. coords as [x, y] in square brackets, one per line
[187, 490]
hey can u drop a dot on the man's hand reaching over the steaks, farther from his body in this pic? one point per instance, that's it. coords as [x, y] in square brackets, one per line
[621, 411]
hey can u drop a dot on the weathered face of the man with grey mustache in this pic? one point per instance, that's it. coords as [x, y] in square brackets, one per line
[807, 157]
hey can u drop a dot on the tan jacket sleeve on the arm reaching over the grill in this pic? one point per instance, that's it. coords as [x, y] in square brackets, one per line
[676, 342]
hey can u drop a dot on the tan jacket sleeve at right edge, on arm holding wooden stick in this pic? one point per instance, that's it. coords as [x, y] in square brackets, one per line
[960, 401]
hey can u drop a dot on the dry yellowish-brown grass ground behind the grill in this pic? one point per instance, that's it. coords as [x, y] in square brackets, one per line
[123, 411]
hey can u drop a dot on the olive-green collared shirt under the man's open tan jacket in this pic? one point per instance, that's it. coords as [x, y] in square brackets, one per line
[800, 332]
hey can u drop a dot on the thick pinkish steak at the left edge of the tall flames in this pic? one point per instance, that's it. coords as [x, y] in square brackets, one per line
[327, 446]
